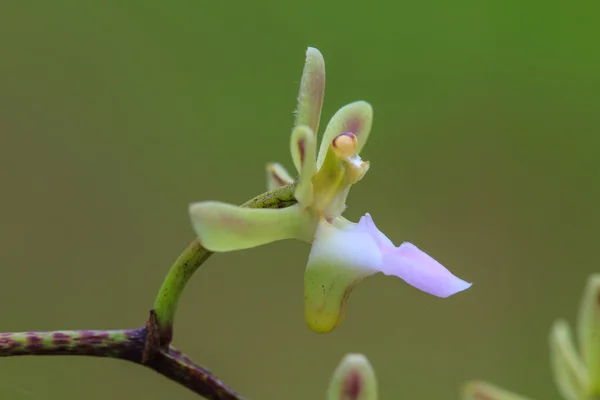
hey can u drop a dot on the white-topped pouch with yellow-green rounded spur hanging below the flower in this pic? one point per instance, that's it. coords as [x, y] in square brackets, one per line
[339, 259]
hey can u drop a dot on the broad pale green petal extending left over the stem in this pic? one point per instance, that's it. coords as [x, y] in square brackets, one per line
[225, 227]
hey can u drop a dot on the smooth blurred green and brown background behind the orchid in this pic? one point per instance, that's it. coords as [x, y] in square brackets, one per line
[115, 115]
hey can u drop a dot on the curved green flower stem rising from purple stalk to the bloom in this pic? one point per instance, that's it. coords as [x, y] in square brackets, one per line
[165, 304]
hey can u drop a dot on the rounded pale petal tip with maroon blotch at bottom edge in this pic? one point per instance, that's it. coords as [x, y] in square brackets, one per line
[354, 379]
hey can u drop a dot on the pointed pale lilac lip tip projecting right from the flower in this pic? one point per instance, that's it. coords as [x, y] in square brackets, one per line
[420, 270]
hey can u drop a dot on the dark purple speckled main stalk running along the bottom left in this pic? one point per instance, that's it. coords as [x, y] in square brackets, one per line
[122, 344]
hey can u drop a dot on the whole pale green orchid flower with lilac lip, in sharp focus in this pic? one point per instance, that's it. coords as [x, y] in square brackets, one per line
[343, 253]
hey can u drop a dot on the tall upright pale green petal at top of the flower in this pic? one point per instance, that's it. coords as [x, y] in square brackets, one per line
[312, 91]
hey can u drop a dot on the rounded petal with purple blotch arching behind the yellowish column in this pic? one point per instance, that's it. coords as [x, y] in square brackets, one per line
[355, 117]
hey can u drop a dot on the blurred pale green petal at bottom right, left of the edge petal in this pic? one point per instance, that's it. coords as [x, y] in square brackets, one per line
[570, 374]
